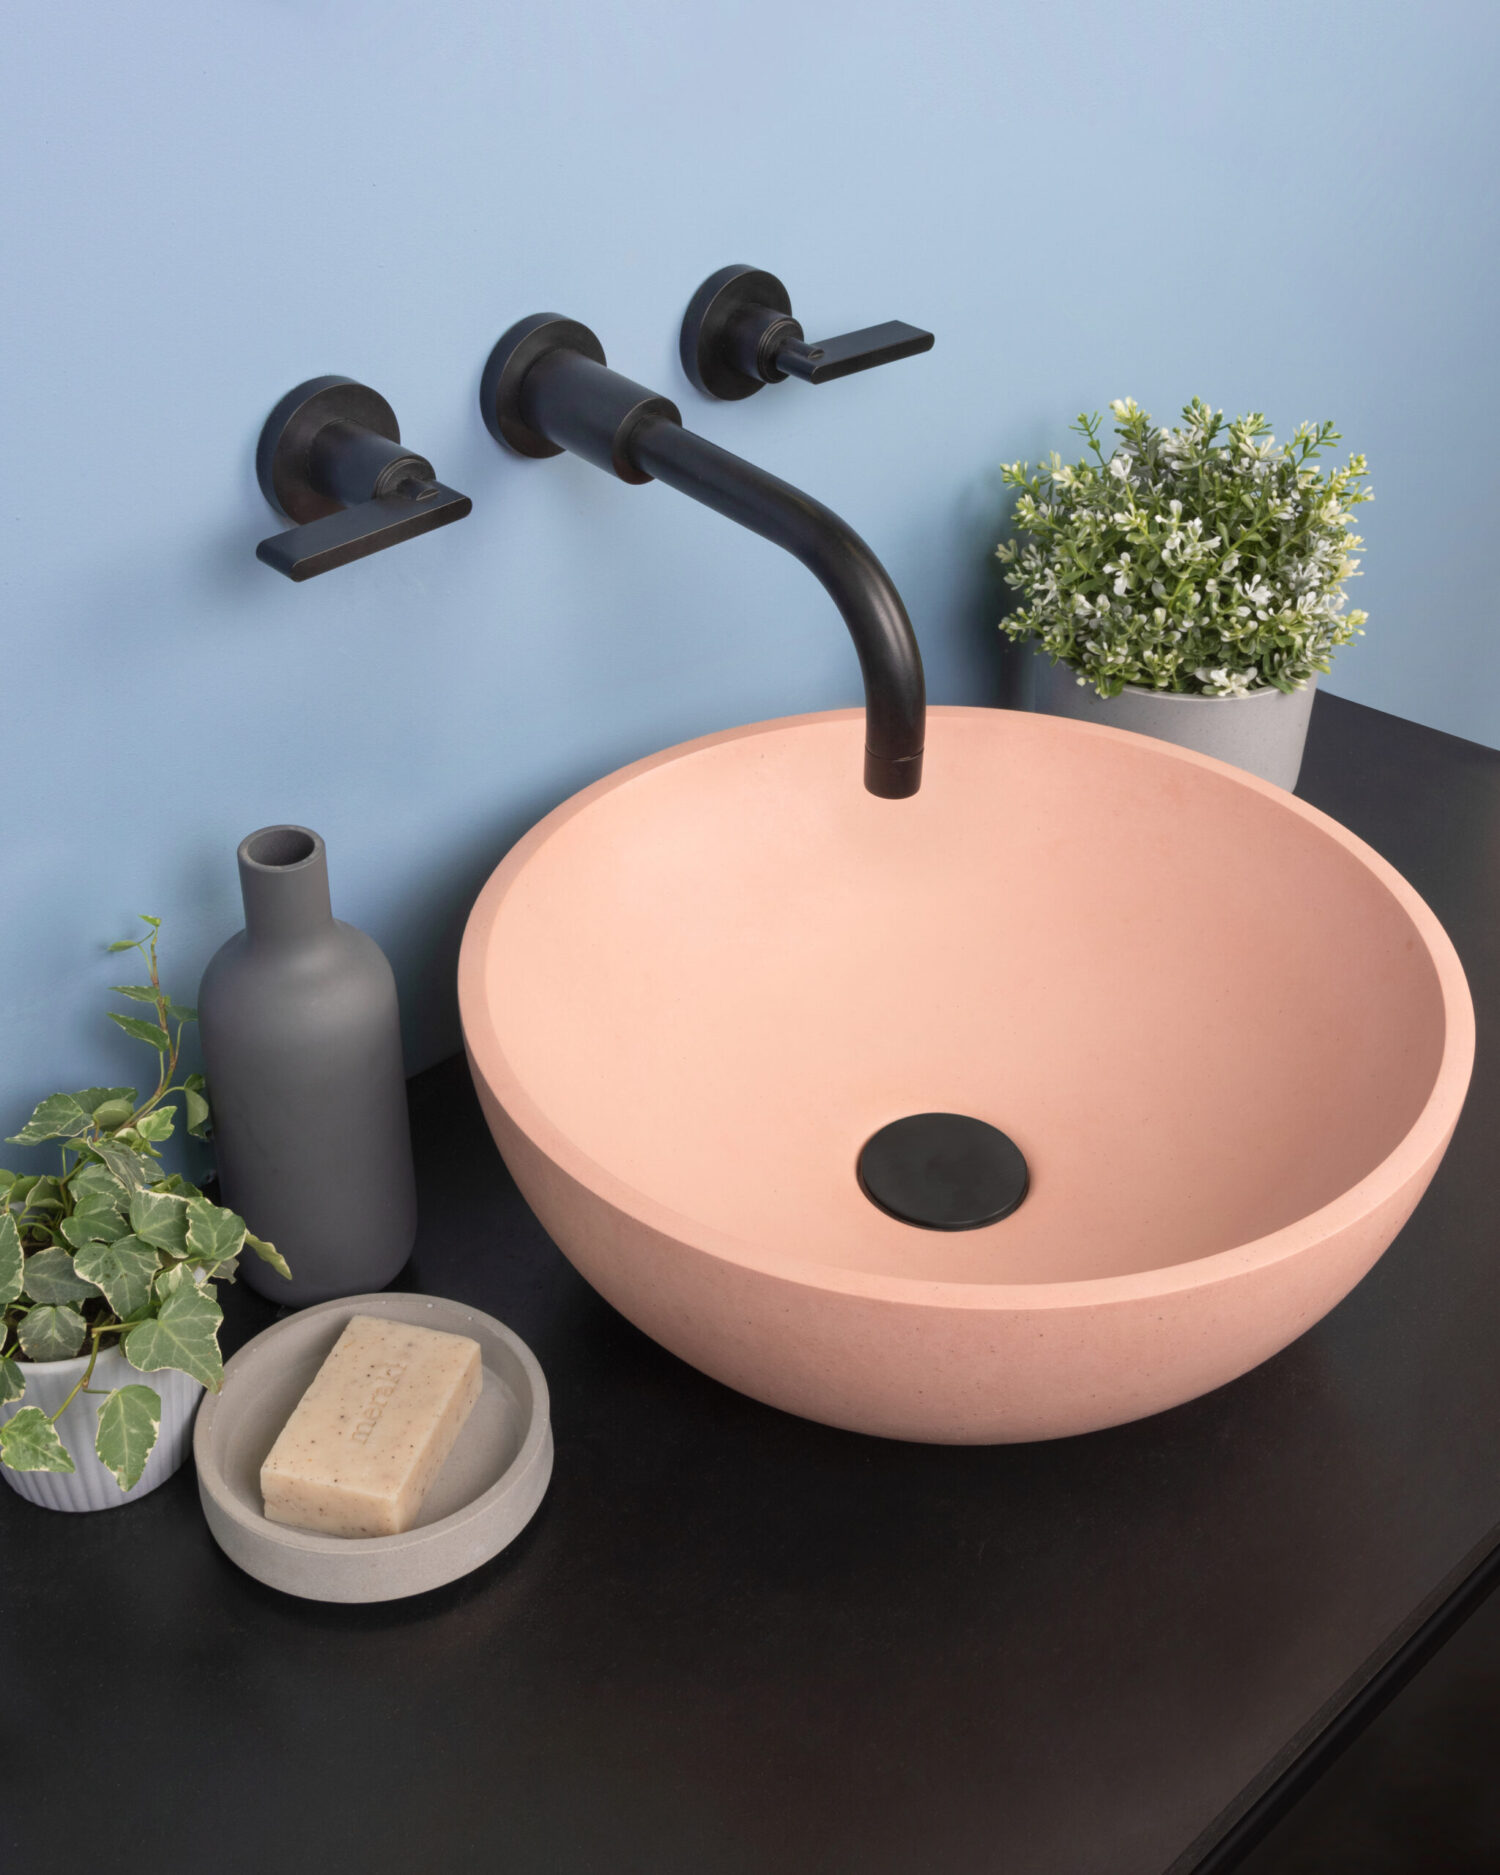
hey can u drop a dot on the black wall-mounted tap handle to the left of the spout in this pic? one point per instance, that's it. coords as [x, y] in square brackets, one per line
[331, 458]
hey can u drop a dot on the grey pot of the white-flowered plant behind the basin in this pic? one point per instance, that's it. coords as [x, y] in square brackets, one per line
[1263, 732]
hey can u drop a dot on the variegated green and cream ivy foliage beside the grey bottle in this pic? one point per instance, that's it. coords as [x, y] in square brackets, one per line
[113, 1252]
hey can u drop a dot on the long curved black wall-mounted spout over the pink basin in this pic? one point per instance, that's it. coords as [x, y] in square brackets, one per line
[547, 389]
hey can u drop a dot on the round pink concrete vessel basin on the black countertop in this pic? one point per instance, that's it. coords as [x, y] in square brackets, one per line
[1229, 1038]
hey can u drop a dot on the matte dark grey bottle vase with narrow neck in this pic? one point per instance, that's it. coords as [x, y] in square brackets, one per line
[303, 1051]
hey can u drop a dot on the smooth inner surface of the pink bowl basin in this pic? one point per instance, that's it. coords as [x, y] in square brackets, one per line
[1201, 1010]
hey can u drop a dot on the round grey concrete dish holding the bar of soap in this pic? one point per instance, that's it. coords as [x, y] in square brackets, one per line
[485, 1497]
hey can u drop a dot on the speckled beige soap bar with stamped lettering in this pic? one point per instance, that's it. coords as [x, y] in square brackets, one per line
[372, 1432]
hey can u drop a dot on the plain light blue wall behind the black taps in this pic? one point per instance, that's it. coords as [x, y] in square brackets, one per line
[1272, 205]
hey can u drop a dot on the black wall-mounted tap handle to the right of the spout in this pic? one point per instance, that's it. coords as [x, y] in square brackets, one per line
[740, 337]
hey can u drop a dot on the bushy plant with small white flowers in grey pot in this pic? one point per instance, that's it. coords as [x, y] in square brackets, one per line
[1190, 584]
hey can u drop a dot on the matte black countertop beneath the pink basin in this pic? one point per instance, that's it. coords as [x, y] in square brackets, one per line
[745, 1645]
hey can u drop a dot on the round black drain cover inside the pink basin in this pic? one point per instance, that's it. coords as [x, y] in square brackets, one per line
[944, 1173]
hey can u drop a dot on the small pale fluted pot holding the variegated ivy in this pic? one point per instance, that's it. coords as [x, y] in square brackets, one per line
[93, 1488]
